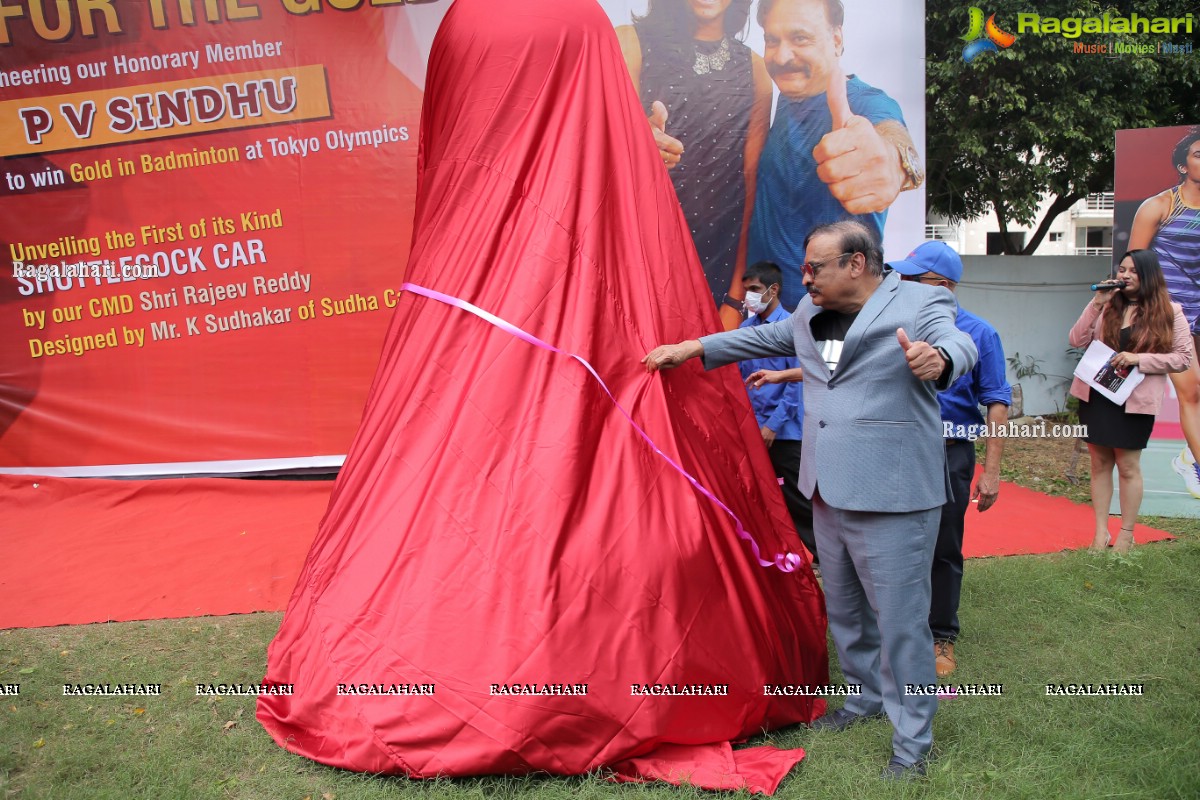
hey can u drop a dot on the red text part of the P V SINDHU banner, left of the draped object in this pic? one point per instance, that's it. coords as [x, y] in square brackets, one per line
[205, 215]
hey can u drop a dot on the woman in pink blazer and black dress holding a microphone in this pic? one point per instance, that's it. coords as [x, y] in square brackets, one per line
[1135, 316]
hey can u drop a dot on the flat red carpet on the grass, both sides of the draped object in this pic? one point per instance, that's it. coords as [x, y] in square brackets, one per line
[77, 551]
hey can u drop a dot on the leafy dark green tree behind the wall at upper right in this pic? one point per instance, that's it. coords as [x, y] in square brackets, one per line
[1039, 119]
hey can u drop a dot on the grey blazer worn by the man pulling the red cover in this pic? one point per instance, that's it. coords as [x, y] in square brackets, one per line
[873, 432]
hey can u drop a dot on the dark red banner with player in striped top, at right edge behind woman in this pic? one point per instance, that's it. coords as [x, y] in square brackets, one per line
[1157, 207]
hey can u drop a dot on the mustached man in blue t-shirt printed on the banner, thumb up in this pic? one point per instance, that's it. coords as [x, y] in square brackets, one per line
[838, 148]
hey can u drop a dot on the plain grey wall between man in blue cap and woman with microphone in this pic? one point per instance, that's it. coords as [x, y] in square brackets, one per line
[1033, 302]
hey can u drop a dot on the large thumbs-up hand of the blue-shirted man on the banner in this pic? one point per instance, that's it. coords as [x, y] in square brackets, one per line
[861, 169]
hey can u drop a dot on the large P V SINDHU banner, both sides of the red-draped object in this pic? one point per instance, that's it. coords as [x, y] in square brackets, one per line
[206, 206]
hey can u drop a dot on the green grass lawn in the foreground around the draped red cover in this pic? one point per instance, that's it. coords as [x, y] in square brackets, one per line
[1028, 622]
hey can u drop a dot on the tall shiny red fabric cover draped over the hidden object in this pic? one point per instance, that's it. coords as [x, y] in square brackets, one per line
[497, 520]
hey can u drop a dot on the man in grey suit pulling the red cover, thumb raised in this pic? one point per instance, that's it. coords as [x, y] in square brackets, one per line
[874, 352]
